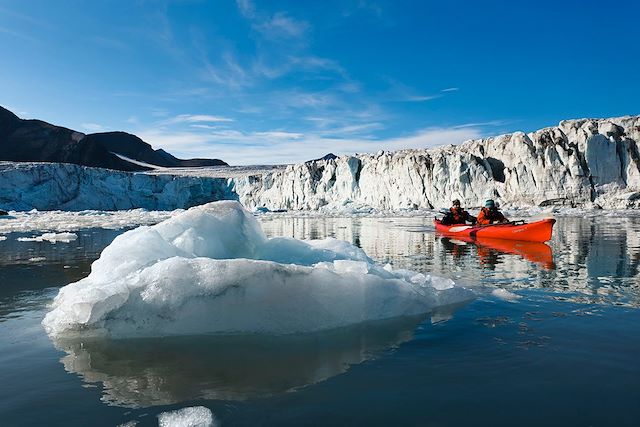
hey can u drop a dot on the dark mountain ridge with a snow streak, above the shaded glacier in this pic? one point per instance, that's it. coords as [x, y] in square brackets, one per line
[38, 141]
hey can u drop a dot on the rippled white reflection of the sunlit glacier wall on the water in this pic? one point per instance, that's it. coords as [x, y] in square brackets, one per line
[596, 259]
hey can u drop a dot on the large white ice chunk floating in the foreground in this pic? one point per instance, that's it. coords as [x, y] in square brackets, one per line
[211, 269]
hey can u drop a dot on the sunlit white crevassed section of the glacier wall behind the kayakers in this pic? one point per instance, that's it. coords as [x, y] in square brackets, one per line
[577, 163]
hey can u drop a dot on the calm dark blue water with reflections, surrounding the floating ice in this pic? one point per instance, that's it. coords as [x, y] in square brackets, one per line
[565, 353]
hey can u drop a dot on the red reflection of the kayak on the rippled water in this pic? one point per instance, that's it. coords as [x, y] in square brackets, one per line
[489, 250]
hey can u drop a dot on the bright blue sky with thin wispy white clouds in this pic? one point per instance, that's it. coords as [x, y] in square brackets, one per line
[271, 82]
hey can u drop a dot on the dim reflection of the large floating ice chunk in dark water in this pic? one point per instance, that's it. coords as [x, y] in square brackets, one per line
[162, 371]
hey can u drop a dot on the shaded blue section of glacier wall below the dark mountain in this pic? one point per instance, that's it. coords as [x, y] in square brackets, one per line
[64, 186]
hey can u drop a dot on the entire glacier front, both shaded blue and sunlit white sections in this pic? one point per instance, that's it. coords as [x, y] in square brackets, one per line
[585, 163]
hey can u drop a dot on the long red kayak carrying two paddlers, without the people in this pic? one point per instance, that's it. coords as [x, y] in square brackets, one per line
[539, 231]
